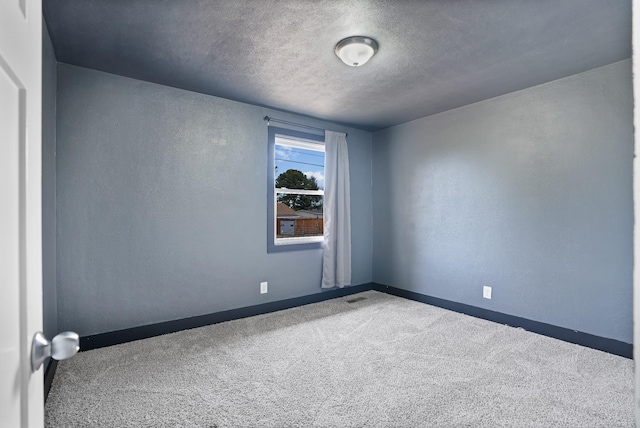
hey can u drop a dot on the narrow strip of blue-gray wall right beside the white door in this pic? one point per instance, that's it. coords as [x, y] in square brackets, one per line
[49, 308]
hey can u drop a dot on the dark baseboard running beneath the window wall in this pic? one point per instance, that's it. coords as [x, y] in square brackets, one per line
[143, 332]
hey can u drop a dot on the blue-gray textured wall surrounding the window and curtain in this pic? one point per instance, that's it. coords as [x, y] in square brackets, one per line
[162, 205]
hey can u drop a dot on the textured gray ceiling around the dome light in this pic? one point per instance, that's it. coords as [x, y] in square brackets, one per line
[434, 55]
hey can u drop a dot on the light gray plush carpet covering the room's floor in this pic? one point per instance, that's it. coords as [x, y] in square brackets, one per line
[379, 361]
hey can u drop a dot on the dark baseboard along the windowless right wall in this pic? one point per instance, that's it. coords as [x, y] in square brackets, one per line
[572, 336]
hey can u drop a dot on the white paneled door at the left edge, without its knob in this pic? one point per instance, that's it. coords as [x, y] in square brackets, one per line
[21, 391]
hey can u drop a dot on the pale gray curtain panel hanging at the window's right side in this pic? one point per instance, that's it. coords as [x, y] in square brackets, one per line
[336, 266]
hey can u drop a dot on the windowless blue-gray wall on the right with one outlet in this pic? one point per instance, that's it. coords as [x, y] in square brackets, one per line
[530, 193]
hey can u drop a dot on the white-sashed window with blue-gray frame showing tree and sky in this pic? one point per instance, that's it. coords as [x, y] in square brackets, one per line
[295, 190]
